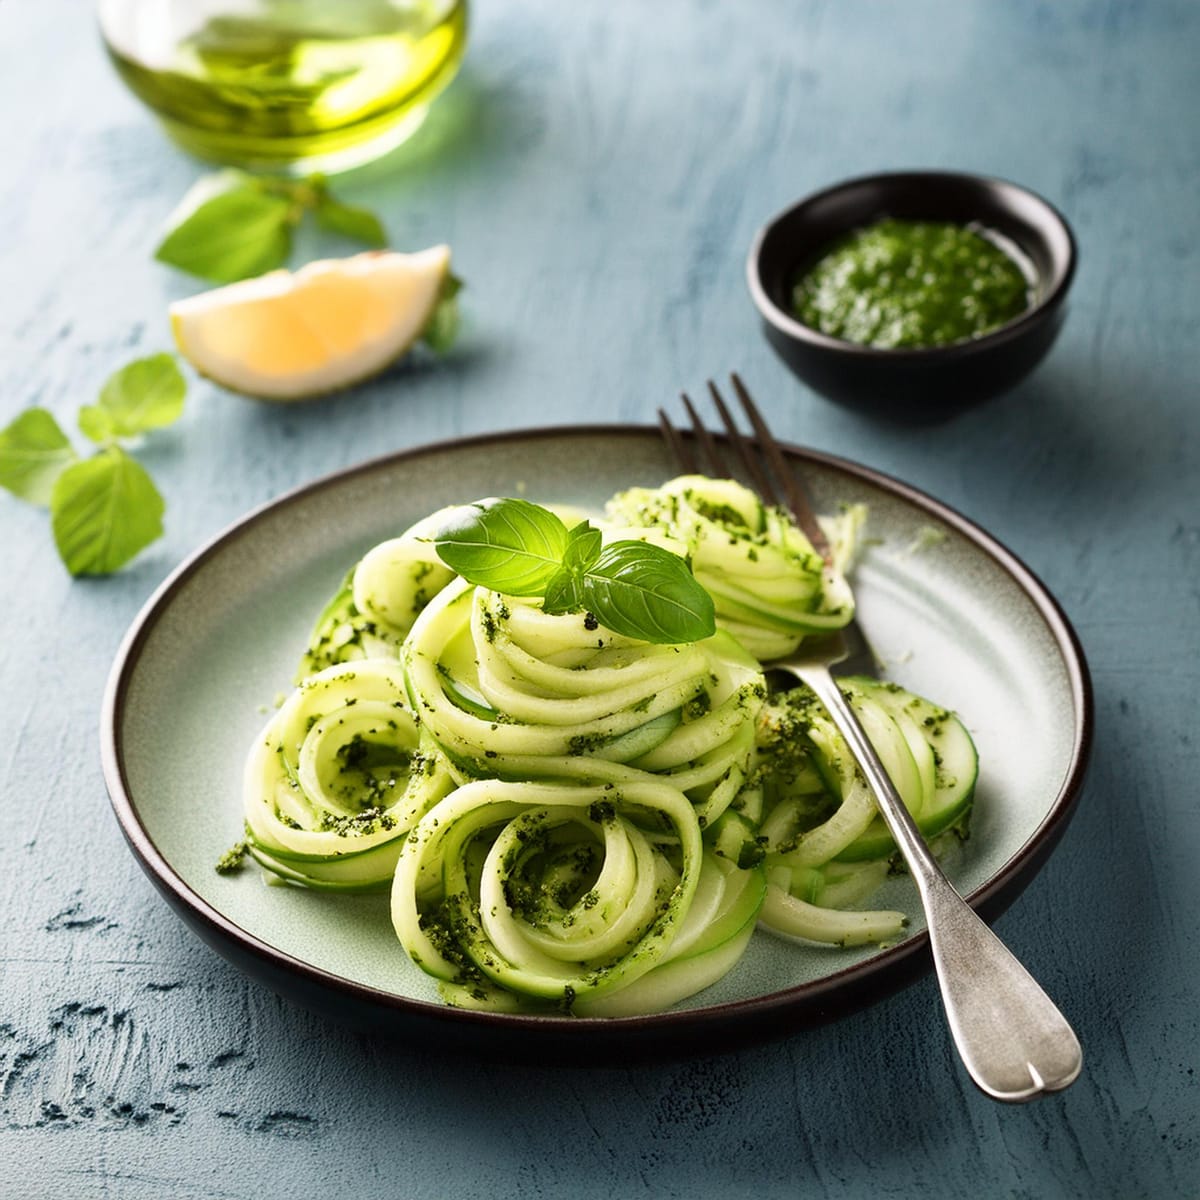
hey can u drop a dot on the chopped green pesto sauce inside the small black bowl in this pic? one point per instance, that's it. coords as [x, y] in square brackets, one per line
[902, 285]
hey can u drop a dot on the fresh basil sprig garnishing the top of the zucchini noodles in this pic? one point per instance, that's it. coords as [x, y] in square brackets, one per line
[631, 587]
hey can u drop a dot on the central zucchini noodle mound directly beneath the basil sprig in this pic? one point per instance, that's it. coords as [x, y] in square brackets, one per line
[507, 691]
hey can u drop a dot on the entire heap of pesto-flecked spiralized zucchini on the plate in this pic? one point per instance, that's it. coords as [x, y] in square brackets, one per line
[577, 821]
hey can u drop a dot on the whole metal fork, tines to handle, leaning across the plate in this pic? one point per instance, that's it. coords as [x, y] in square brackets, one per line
[1013, 1041]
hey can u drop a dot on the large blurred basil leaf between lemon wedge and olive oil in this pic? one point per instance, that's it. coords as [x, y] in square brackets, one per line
[238, 233]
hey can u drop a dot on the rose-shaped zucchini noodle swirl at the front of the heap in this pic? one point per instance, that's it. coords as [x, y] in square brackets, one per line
[568, 895]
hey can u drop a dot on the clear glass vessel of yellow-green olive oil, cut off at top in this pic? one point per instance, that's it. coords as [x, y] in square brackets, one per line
[290, 86]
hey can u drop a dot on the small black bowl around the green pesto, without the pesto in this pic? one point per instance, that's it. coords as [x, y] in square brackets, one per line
[914, 385]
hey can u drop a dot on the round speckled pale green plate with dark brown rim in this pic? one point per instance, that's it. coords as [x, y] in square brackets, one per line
[952, 614]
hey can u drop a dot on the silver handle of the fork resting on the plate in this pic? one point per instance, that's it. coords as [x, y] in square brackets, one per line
[1013, 1041]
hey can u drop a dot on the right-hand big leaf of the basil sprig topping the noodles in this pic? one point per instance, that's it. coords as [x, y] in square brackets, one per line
[649, 593]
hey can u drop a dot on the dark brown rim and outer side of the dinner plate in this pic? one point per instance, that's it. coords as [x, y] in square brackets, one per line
[772, 1015]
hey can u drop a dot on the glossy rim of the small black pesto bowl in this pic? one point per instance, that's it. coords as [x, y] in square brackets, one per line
[1010, 332]
